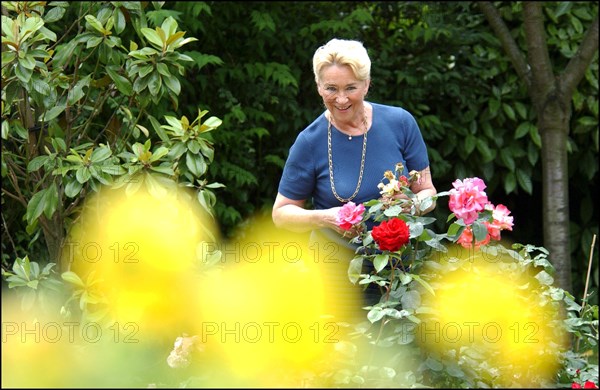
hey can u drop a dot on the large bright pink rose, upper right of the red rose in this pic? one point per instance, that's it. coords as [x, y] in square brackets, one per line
[467, 199]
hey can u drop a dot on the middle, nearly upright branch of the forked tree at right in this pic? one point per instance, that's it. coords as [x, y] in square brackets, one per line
[535, 34]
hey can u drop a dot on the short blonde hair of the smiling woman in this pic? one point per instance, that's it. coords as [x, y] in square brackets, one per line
[343, 52]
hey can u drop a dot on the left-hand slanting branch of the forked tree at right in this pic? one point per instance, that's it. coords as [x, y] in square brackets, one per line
[508, 43]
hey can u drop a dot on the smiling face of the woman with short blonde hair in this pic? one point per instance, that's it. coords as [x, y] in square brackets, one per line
[342, 93]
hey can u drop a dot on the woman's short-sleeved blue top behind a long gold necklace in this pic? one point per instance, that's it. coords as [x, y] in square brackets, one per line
[394, 137]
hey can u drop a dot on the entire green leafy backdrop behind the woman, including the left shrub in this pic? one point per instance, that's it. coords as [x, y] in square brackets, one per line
[250, 64]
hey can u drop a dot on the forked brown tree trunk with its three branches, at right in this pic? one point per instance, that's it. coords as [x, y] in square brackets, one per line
[551, 98]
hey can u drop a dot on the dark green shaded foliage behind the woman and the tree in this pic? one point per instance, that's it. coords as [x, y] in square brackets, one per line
[252, 68]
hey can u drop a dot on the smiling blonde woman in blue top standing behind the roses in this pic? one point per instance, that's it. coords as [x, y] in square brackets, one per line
[342, 155]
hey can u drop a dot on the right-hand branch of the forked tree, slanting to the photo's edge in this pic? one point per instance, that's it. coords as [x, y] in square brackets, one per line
[577, 66]
